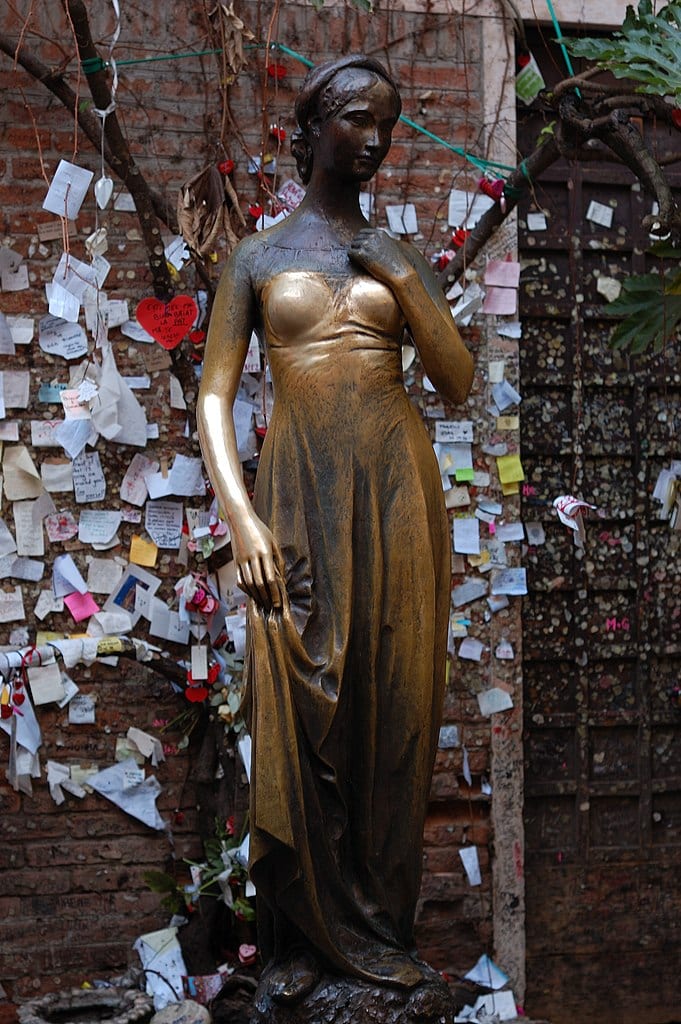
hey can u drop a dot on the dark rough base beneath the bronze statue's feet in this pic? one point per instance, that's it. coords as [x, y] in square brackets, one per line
[350, 1001]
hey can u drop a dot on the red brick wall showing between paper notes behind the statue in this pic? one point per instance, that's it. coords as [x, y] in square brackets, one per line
[73, 899]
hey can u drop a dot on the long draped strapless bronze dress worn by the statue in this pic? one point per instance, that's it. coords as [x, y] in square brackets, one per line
[348, 681]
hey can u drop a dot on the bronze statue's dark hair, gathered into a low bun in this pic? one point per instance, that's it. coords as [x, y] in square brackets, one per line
[318, 98]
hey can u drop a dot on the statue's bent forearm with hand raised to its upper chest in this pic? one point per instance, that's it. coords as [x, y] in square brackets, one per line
[446, 359]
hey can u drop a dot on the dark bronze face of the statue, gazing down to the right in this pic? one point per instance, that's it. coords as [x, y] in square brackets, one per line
[354, 141]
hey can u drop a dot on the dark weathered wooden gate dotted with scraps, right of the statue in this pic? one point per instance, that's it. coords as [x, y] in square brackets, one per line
[603, 630]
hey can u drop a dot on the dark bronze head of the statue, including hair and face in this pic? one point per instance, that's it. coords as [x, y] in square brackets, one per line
[357, 90]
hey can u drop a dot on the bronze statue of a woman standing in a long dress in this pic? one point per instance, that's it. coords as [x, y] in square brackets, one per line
[345, 556]
